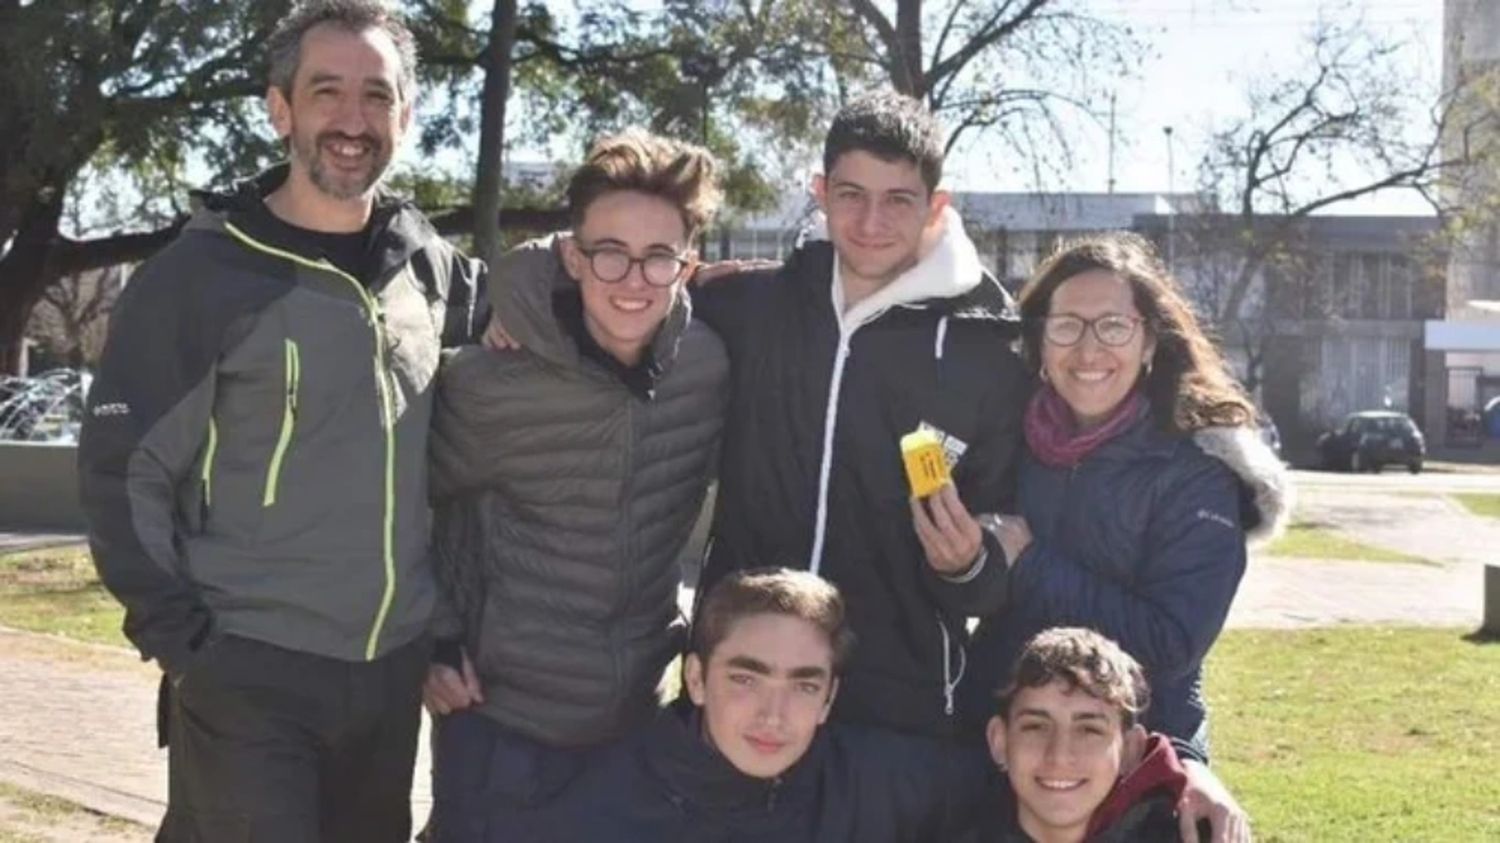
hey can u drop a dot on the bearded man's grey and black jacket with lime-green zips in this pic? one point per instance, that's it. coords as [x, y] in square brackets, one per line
[254, 454]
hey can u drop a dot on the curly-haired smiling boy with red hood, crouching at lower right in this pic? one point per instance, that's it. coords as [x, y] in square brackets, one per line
[1079, 764]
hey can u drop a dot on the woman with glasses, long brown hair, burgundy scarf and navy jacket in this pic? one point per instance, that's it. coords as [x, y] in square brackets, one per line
[1142, 481]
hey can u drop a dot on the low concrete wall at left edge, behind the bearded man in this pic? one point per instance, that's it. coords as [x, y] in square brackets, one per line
[40, 487]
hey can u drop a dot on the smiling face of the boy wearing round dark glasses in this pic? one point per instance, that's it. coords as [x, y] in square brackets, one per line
[625, 316]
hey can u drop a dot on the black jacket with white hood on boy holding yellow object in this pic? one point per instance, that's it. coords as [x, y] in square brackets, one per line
[812, 469]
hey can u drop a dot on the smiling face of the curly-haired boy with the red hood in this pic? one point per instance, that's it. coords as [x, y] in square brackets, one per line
[1063, 751]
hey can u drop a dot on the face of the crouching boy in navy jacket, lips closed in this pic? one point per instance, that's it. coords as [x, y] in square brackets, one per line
[766, 691]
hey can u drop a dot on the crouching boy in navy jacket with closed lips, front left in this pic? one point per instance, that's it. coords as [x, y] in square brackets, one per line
[749, 758]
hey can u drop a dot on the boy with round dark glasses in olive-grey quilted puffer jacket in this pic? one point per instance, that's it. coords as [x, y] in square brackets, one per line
[569, 476]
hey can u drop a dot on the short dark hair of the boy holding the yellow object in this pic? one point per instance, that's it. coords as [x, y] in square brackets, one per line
[890, 127]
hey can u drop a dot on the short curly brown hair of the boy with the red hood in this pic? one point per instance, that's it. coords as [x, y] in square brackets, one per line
[1082, 661]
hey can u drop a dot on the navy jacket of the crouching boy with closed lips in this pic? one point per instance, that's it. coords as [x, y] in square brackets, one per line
[856, 785]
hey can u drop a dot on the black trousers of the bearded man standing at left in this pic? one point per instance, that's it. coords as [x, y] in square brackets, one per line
[269, 745]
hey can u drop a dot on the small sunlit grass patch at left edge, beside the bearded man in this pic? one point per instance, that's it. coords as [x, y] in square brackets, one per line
[56, 592]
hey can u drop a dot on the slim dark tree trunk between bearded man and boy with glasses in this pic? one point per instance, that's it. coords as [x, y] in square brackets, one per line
[490, 178]
